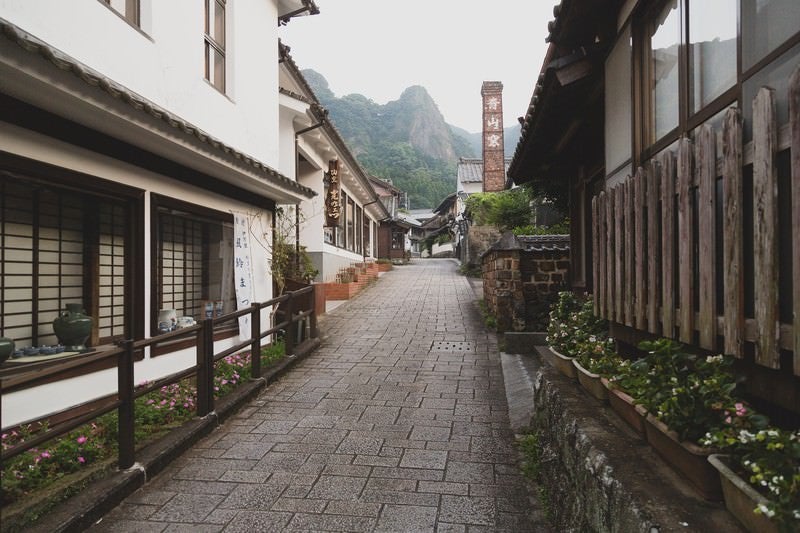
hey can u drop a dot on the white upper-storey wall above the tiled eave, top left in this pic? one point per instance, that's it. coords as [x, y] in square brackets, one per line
[165, 64]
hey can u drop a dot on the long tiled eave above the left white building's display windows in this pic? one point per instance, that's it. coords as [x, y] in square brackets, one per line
[64, 62]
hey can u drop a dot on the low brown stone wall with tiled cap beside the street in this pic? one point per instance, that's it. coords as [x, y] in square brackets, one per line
[521, 277]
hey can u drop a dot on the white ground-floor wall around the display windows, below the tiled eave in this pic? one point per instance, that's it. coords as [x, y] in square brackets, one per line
[31, 403]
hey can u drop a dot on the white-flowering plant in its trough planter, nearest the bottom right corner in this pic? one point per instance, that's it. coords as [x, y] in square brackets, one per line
[760, 472]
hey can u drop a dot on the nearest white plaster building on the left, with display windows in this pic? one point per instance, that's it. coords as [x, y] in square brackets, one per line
[139, 143]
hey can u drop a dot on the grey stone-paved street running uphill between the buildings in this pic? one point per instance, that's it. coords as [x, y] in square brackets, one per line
[398, 422]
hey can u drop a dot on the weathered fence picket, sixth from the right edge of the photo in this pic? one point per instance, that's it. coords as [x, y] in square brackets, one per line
[668, 244]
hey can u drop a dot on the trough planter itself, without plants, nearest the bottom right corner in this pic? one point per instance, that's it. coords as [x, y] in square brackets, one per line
[741, 498]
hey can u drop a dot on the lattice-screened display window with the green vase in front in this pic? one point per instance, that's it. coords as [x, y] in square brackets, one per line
[60, 247]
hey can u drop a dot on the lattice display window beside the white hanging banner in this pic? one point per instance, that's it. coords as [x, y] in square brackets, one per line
[194, 270]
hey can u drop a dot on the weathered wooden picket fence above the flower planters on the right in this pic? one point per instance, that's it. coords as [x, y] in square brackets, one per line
[678, 243]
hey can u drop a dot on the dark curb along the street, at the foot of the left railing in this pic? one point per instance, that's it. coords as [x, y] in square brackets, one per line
[84, 509]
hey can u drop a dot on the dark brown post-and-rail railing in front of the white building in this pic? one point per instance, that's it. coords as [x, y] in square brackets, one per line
[295, 309]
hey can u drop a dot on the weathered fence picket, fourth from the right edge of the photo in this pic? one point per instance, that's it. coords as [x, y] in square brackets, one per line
[707, 235]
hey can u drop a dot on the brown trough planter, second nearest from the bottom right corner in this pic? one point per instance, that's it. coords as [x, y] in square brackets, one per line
[686, 458]
